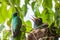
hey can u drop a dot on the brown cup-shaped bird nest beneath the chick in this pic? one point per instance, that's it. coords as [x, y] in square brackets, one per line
[42, 34]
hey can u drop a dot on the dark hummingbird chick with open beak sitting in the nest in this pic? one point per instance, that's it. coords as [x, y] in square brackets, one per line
[38, 23]
